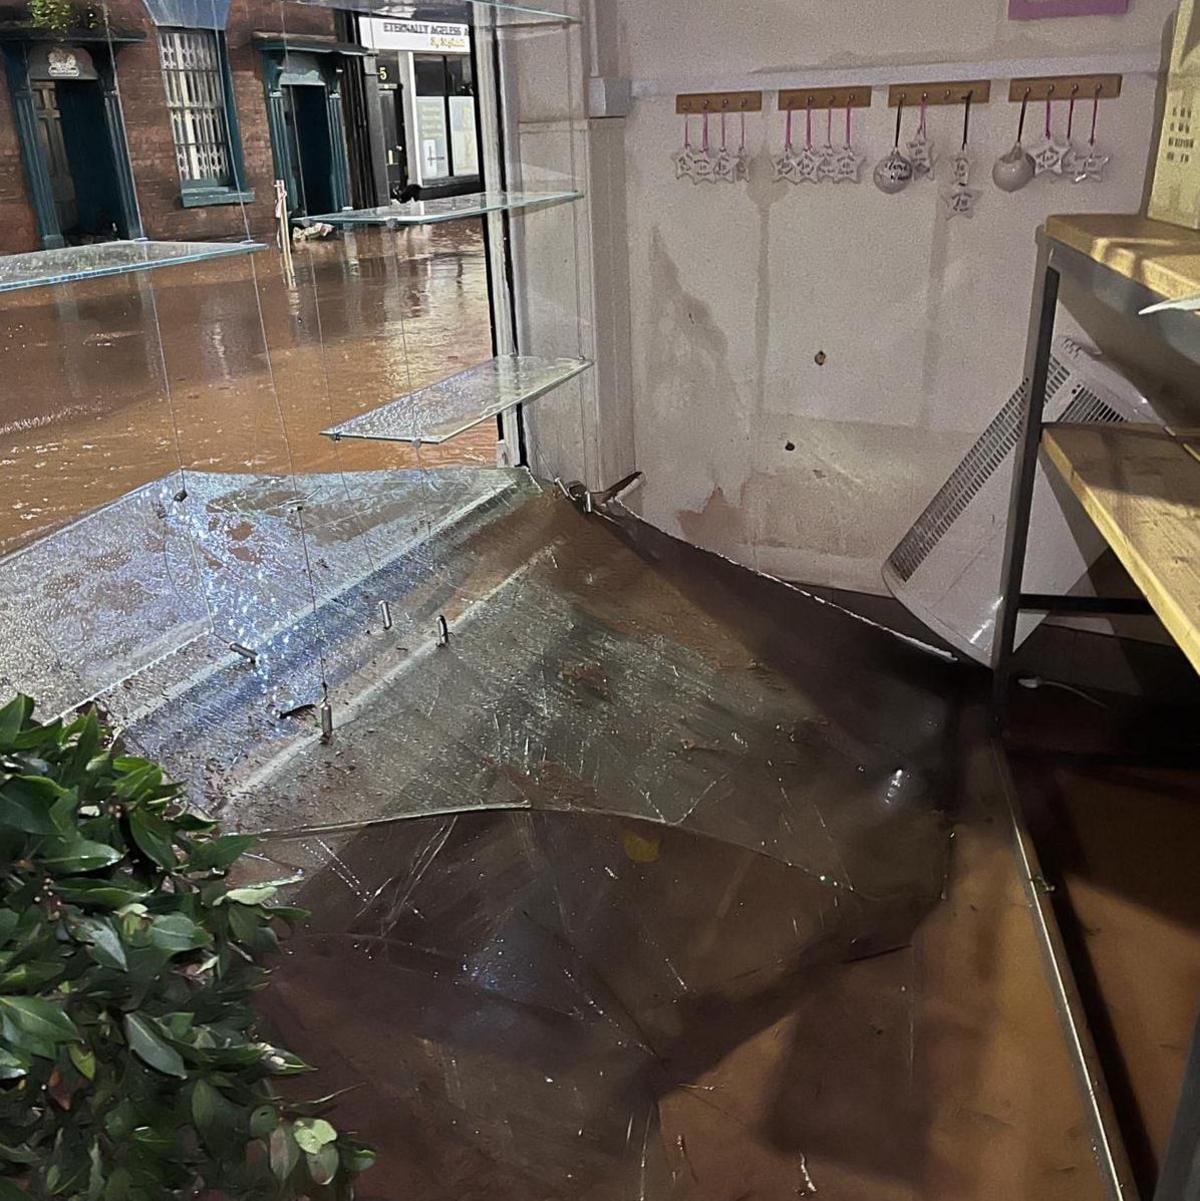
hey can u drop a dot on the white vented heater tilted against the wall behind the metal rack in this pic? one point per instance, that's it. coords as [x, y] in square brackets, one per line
[947, 569]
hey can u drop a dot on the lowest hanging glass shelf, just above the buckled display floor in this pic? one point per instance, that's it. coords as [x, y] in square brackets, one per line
[446, 409]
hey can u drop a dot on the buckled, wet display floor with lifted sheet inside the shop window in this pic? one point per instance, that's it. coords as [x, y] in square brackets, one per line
[635, 876]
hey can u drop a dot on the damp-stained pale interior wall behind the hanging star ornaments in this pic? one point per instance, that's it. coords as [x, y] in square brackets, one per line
[735, 290]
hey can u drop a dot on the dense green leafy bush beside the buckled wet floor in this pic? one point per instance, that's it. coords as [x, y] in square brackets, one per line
[132, 1067]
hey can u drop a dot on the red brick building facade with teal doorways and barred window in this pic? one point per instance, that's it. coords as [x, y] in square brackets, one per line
[261, 46]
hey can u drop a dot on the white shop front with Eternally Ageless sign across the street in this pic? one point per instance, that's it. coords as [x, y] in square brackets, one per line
[428, 105]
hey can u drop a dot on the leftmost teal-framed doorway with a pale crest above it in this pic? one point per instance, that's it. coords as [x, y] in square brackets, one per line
[71, 133]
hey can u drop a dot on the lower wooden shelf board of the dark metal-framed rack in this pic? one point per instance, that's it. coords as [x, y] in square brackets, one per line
[1142, 489]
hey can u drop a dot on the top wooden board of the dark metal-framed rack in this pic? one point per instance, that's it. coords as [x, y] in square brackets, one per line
[1162, 258]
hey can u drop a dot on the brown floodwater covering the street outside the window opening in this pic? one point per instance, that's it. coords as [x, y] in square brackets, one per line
[220, 367]
